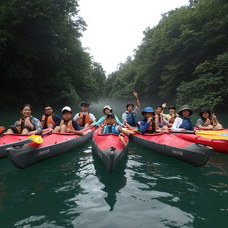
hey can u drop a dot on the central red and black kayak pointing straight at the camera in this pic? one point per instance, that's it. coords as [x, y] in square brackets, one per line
[109, 147]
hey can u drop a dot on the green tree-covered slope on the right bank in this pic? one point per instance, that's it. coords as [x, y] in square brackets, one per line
[183, 59]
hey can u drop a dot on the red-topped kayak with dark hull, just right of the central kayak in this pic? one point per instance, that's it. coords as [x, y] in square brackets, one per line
[174, 146]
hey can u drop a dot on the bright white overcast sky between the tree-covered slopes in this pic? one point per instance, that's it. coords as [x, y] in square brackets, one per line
[115, 27]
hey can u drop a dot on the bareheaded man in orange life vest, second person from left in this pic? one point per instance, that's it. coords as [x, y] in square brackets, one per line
[49, 118]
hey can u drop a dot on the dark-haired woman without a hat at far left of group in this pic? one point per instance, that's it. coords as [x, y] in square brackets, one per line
[27, 124]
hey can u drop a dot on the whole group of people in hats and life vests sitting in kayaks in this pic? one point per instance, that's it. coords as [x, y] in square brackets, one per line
[152, 121]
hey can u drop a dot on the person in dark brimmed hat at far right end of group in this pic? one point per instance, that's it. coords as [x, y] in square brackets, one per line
[207, 120]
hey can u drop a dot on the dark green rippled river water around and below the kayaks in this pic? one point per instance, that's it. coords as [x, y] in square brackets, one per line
[146, 190]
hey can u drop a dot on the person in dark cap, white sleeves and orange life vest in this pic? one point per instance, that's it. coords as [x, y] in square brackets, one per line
[84, 118]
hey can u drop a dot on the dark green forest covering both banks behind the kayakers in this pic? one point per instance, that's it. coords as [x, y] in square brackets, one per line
[184, 59]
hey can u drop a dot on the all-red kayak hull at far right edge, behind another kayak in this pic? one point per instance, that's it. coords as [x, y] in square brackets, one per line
[218, 145]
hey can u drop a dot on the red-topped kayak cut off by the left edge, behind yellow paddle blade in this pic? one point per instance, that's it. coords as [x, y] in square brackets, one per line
[7, 141]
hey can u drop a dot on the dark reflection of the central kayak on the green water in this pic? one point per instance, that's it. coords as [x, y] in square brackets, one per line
[112, 182]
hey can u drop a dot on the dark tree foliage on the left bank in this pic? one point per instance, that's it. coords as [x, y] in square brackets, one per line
[41, 56]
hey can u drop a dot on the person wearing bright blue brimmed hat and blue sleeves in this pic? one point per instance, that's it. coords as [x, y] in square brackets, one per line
[149, 122]
